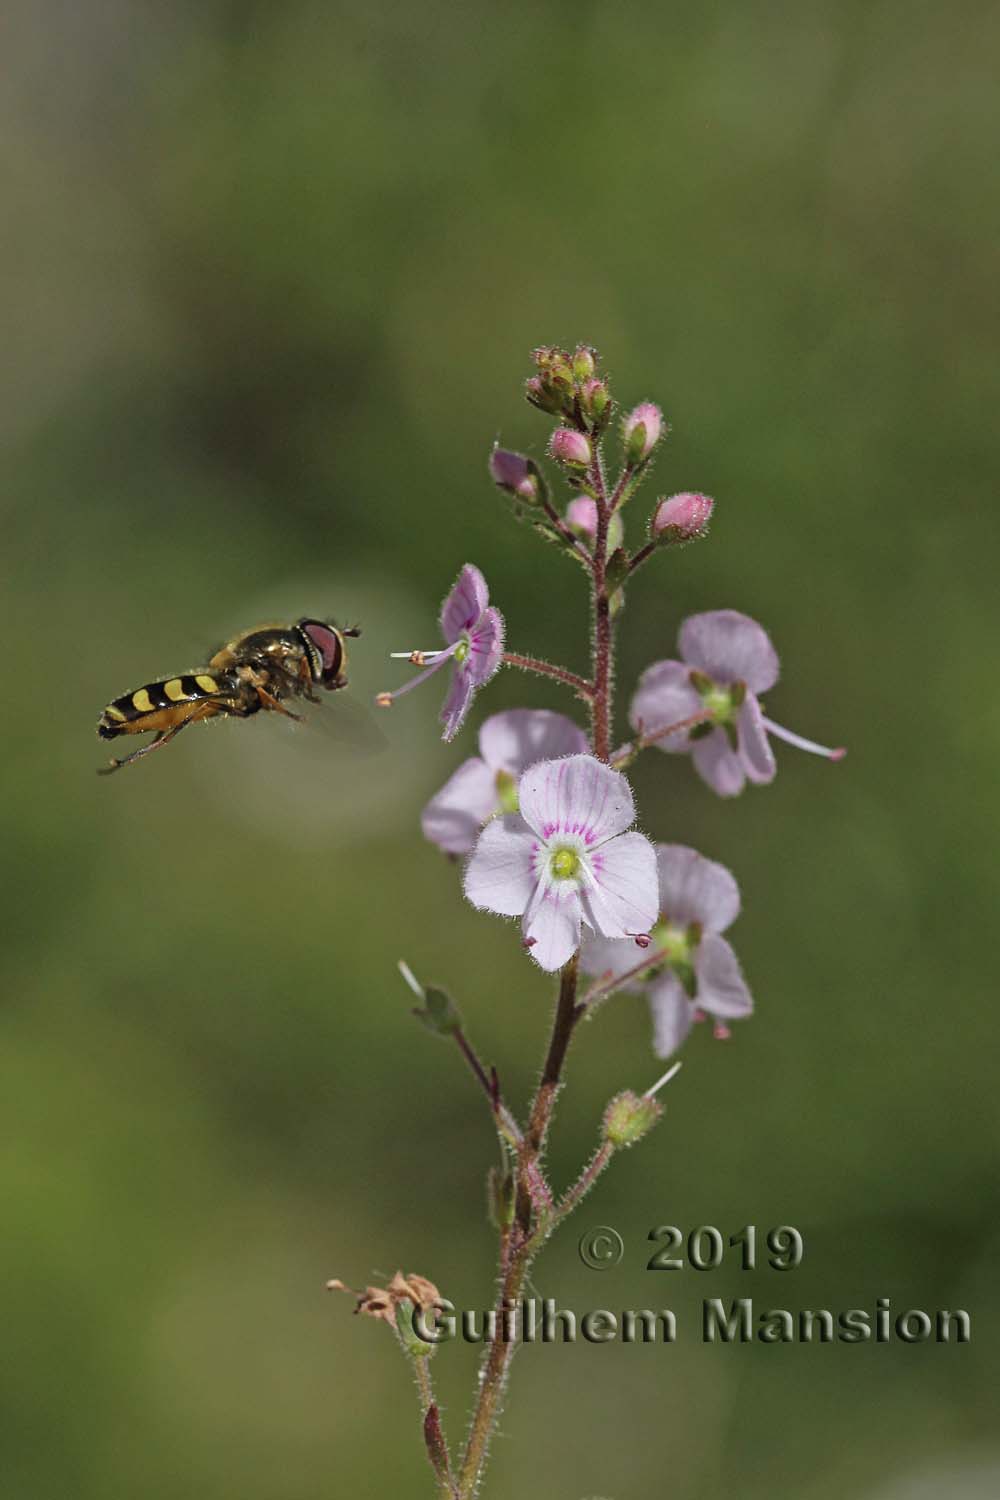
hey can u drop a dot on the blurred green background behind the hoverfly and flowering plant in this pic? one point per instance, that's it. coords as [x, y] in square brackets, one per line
[271, 278]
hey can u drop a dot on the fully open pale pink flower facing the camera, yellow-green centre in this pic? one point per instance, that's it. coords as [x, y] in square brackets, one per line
[566, 860]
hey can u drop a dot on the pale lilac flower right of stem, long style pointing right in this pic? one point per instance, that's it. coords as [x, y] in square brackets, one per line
[726, 662]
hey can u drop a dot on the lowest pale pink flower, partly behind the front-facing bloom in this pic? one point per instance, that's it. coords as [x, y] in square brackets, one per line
[689, 968]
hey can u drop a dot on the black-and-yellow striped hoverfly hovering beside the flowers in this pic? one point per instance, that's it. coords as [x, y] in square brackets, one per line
[256, 671]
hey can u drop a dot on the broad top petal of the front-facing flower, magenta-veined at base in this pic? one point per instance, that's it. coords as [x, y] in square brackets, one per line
[576, 796]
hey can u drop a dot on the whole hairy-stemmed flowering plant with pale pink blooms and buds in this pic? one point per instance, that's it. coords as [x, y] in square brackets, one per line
[543, 818]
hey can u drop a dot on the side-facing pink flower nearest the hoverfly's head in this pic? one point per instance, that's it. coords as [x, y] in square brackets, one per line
[475, 634]
